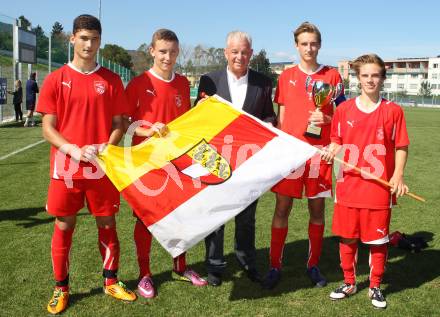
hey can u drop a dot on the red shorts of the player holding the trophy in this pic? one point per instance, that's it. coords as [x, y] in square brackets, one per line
[315, 177]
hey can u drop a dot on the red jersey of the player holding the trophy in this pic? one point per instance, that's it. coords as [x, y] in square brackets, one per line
[291, 93]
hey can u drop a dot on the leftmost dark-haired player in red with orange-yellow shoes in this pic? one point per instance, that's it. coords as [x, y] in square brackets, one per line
[82, 105]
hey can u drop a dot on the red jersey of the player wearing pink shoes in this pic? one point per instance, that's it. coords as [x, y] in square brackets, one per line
[153, 99]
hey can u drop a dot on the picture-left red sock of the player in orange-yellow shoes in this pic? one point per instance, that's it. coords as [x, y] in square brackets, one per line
[61, 244]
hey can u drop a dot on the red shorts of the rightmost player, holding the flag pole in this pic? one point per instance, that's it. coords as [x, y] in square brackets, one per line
[371, 226]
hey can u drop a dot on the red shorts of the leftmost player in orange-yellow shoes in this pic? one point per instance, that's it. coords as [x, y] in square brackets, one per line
[101, 195]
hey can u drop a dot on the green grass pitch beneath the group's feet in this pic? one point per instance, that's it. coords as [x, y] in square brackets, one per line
[411, 283]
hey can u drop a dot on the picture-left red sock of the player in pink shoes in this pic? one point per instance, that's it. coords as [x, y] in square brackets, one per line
[142, 239]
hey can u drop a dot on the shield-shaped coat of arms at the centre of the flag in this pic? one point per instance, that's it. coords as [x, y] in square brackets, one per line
[204, 163]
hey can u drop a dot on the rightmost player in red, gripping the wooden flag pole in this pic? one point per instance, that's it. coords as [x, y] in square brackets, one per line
[373, 131]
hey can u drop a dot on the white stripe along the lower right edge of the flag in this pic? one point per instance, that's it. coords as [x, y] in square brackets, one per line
[215, 205]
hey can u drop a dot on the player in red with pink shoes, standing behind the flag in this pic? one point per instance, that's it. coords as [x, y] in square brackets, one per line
[157, 97]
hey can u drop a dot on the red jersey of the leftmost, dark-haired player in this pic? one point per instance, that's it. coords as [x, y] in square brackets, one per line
[84, 105]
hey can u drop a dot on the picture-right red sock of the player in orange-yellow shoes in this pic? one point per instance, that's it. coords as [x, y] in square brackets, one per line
[109, 249]
